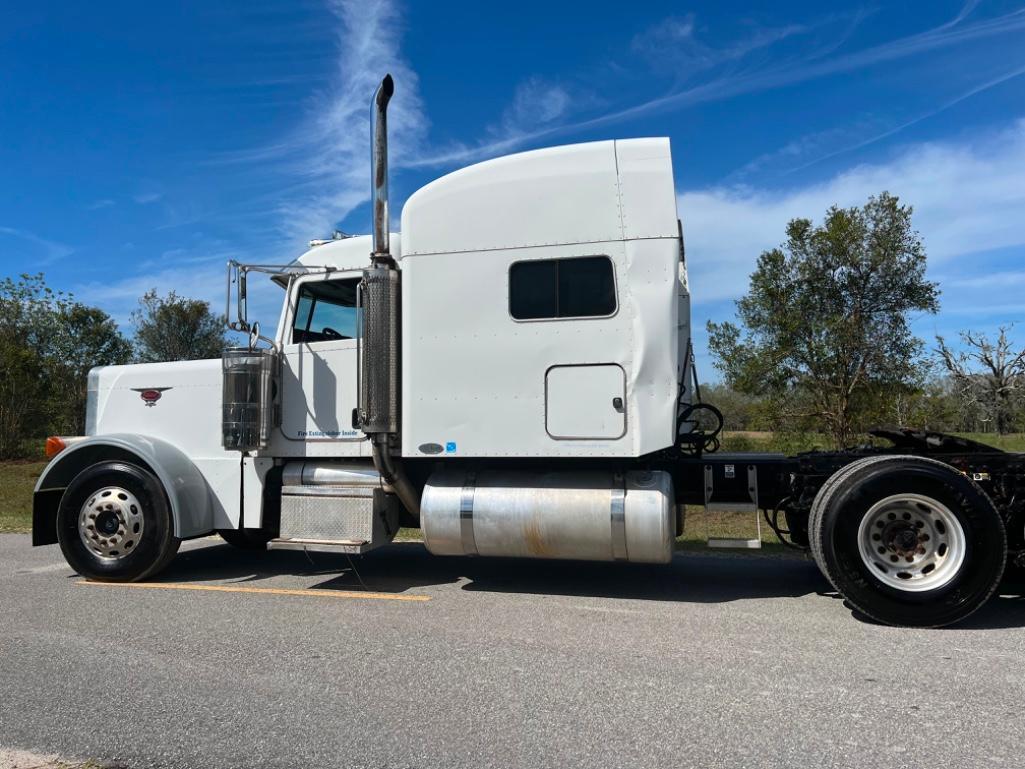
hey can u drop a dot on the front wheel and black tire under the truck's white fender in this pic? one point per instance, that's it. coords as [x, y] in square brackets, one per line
[114, 523]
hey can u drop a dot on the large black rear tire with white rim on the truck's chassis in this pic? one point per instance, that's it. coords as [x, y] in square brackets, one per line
[909, 541]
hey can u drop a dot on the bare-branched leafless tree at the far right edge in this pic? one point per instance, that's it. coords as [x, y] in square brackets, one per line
[990, 376]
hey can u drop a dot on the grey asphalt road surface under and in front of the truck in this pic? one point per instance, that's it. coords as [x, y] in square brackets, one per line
[402, 660]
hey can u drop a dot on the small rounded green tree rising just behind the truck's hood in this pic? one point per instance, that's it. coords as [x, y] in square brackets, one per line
[176, 329]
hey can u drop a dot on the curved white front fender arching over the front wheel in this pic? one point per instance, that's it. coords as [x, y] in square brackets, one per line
[187, 491]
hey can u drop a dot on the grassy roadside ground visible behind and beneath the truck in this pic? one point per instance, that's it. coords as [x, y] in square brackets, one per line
[19, 478]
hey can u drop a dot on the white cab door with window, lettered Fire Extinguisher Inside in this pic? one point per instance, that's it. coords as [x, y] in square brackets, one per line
[319, 361]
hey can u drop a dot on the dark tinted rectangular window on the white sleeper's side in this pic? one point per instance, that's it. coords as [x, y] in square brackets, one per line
[580, 288]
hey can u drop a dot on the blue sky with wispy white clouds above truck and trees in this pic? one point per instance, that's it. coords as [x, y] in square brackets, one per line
[142, 145]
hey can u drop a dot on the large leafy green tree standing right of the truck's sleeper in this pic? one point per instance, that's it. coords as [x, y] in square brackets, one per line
[825, 327]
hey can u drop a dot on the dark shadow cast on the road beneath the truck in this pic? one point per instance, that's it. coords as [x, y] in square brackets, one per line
[691, 578]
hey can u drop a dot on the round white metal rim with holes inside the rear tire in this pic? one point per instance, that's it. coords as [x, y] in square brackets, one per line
[912, 543]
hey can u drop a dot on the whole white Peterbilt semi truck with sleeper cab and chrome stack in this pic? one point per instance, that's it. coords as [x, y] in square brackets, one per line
[513, 375]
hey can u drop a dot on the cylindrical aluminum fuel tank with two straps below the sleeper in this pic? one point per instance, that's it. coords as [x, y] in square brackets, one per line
[593, 516]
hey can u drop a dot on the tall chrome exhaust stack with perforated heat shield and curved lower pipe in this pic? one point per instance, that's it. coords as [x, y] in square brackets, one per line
[380, 394]
